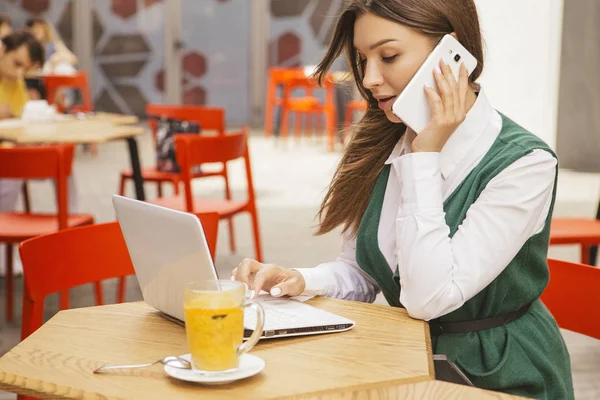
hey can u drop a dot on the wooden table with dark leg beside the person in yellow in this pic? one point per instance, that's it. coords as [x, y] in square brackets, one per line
[97, 128]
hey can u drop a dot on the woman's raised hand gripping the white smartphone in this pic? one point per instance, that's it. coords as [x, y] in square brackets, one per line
[449, 109]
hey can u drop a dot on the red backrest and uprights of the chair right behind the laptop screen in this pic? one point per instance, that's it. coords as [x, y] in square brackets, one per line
[192, 150]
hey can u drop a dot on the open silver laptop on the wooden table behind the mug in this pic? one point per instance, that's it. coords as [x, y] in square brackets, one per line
[168, 249]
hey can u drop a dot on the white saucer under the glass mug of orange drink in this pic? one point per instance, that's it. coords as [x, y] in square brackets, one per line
[249, 365]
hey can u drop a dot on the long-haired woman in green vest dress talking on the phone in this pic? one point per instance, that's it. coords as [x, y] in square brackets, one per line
[453, 223]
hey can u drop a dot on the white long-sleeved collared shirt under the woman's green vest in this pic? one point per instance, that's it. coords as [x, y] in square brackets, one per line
[438, 274]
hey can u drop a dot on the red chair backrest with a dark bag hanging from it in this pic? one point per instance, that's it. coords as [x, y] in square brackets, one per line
[209, 118]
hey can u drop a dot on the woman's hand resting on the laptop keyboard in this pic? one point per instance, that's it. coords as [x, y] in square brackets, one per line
[279, 281]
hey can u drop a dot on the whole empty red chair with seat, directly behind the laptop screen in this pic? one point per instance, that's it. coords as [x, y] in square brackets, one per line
[192, 150]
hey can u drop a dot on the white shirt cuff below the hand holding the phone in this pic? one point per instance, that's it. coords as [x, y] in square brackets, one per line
[420, 179]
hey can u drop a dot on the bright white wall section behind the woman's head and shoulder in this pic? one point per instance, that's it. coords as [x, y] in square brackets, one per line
[521, 72]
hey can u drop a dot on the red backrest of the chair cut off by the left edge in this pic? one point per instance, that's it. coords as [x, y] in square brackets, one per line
[41, 162]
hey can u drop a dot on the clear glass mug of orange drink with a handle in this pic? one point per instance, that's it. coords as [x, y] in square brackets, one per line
[214, 323]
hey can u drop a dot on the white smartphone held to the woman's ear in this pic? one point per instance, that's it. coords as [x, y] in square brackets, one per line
[412, 106]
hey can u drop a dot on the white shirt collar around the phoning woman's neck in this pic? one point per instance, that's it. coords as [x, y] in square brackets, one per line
[461, 141]
